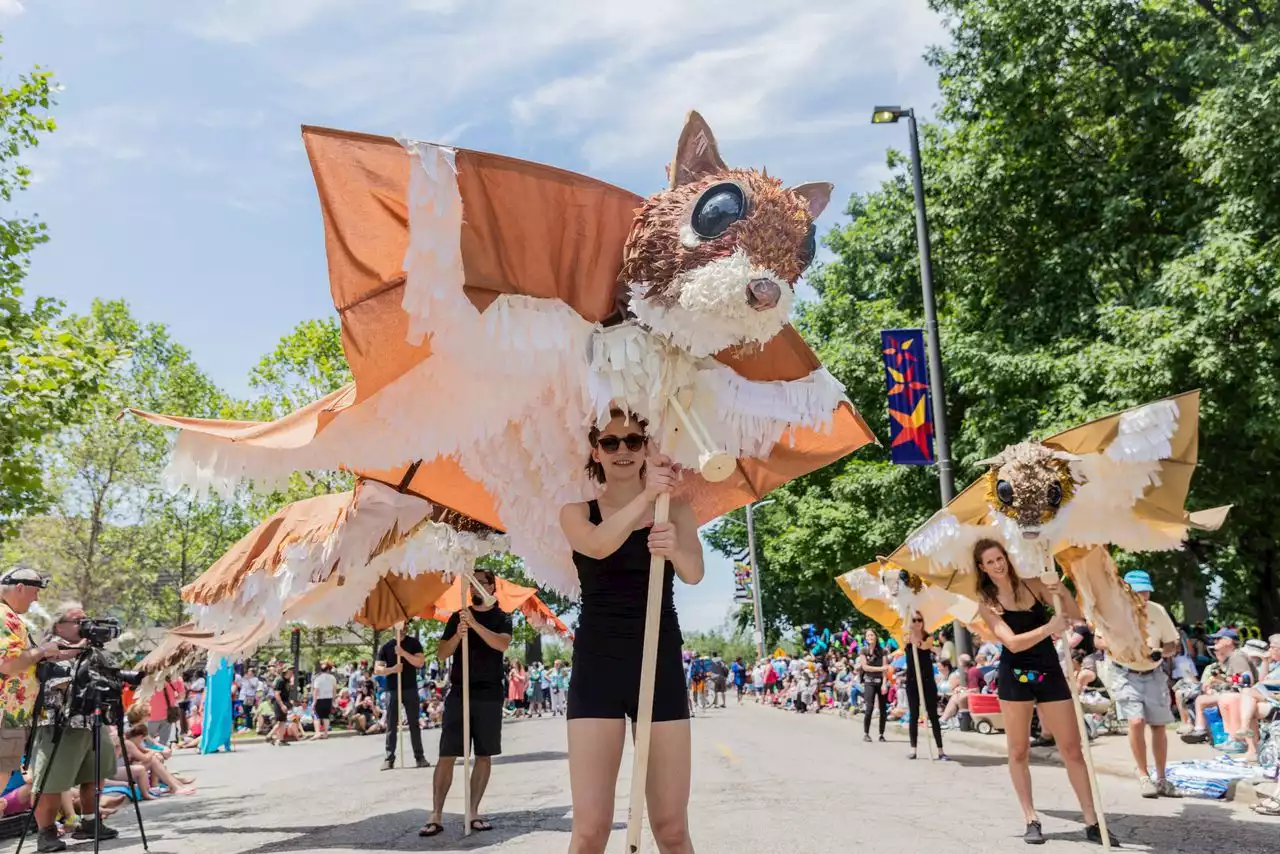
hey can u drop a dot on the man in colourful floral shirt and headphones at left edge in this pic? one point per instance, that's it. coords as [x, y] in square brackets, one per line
[20, 588]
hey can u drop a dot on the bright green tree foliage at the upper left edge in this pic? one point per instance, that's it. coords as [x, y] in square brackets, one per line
[48, 371]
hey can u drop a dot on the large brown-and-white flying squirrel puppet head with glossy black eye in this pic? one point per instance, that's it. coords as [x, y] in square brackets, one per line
[714, 261]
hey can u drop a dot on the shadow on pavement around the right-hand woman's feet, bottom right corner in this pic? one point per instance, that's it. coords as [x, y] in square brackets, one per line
[1206, 823]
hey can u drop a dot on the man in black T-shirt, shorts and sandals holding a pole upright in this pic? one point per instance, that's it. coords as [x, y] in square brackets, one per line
[487, 632]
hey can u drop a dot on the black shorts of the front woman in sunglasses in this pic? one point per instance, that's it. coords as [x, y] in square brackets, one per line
[606, 682]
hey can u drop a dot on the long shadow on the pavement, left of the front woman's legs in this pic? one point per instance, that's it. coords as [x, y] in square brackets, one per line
[397, 833]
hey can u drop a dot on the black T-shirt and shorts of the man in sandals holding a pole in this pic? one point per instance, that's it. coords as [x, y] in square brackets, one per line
[487, 696]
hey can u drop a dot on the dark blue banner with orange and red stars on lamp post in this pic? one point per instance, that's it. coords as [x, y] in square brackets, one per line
[911, 413]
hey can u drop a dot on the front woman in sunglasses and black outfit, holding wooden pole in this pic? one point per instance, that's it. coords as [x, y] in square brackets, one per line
[614, 540]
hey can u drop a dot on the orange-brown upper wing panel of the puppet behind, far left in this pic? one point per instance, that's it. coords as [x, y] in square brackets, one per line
[309, 520]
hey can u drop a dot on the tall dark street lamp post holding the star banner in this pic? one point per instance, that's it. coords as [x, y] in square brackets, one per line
[943, 442]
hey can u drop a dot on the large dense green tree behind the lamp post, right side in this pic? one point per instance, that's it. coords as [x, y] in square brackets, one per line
[1103, 198]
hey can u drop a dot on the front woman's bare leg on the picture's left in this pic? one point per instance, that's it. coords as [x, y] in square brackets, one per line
[595, 759]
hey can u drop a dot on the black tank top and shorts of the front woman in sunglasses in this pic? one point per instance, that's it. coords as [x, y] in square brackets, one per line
[610, 640]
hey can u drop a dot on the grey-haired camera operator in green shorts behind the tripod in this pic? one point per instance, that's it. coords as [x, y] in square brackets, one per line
[72, 765]
